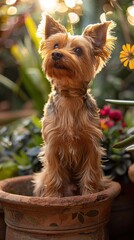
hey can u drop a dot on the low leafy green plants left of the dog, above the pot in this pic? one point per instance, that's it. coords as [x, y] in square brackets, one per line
[20, 145]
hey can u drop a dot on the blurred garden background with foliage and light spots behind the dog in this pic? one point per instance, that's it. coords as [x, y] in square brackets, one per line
[24, 88]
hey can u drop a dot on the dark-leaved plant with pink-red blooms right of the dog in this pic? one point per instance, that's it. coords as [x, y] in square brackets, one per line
[117, 160]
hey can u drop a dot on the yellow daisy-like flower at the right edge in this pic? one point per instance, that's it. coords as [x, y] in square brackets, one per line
[127, 56]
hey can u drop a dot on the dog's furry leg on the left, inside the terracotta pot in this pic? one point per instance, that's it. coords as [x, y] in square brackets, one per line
[49, 182]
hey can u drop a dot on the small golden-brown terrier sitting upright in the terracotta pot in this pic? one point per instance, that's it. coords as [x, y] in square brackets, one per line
[71, 155]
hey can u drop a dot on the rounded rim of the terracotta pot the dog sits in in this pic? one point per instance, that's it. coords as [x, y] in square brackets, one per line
[110, 193]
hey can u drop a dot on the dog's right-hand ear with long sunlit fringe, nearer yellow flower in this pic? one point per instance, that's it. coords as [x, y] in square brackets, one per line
[102, 41]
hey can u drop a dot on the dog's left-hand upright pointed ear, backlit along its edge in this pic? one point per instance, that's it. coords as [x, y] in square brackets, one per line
[48, 26]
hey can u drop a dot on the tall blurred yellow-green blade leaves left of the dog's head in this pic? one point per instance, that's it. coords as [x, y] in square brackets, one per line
[32, 77]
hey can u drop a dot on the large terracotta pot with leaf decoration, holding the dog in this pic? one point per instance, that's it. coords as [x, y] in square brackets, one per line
[37, 218]
